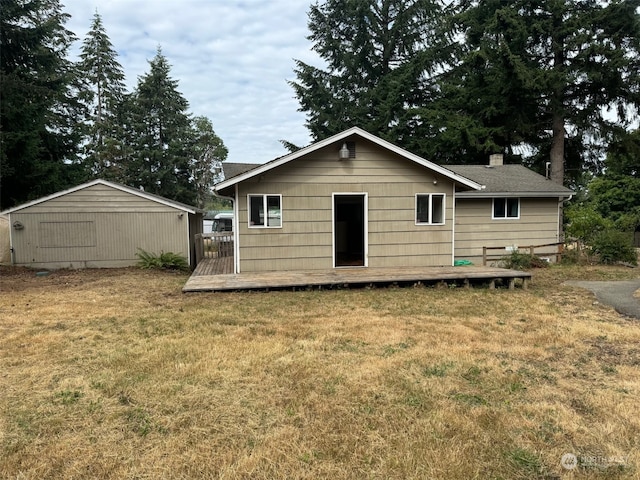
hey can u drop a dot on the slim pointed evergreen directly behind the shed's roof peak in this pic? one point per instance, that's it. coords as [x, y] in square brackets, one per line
[104, 96]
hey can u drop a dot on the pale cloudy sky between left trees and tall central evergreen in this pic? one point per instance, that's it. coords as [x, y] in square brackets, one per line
[232, 60]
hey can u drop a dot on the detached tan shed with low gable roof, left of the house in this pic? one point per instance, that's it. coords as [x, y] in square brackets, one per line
[100, 224]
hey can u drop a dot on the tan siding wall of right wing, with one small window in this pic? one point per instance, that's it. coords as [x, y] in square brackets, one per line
[474, 228]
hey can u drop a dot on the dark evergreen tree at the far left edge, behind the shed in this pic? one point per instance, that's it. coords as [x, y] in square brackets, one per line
[38, 111]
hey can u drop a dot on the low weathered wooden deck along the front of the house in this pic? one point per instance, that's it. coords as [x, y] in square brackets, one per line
[214, 275]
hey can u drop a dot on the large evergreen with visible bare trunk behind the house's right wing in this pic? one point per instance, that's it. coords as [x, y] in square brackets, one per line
[542, 73]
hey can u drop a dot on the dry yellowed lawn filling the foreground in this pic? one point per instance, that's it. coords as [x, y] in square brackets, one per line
[116, 374]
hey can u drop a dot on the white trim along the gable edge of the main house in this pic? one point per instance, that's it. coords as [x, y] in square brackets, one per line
[341, 136]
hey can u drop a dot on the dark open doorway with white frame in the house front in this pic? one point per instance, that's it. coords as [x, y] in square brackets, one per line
[349, 230]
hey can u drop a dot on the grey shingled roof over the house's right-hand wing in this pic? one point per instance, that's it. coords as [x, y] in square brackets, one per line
[515, 180]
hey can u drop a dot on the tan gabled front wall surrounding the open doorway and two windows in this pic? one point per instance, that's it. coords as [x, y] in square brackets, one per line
[305, 240]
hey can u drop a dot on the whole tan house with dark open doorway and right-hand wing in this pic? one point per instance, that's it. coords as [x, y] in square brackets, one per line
[355, 199]
